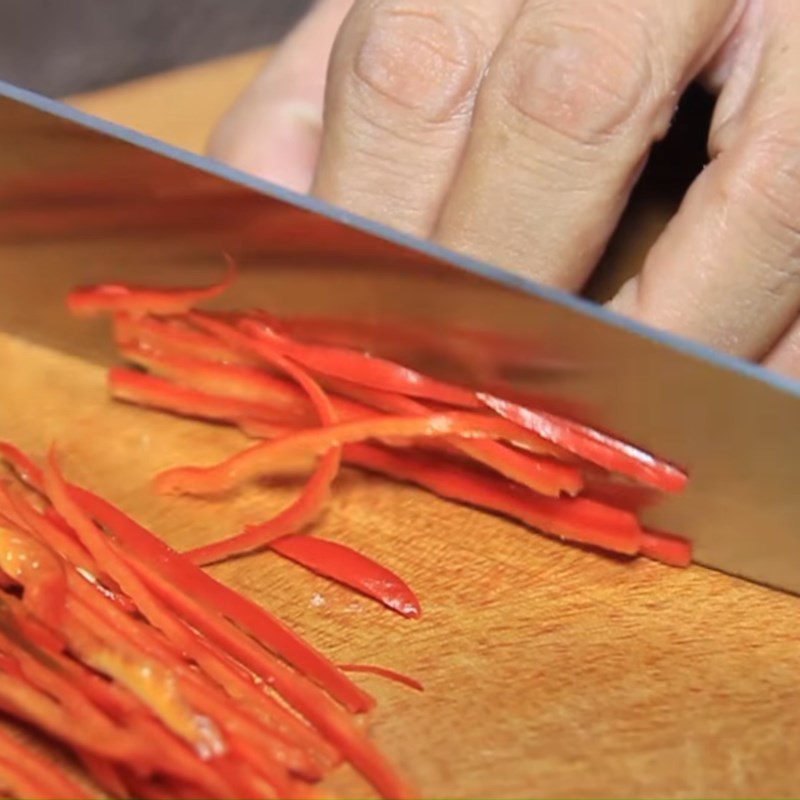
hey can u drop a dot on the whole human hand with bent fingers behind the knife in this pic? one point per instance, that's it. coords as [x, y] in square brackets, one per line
[514, 130]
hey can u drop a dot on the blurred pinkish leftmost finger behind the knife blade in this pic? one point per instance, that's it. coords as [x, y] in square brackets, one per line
[274, 128]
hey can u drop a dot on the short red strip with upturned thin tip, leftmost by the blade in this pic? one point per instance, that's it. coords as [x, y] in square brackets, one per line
[137, 300]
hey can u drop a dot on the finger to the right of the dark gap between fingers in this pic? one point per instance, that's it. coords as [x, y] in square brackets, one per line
[727, 269]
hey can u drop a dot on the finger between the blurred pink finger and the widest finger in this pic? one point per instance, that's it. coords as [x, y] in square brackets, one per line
[403, 78]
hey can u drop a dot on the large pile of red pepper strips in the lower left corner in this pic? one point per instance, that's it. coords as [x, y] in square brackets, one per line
[158, 680]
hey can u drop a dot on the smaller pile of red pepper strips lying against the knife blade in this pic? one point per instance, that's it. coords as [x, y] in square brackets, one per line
[317, 405]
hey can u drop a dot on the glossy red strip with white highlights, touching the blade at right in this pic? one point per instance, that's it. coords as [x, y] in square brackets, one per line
[596, 447]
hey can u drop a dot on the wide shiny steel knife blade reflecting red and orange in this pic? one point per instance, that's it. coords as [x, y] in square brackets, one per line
[82, 200]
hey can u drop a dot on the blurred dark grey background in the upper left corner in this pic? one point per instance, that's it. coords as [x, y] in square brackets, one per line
[62, 47]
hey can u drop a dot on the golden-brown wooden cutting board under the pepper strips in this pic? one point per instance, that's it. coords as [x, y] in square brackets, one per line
[549, 671]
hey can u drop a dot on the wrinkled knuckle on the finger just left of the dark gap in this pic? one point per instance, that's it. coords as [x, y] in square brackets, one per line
[585, 83]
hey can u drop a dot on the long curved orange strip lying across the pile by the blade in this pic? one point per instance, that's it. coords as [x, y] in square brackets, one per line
[264, 457]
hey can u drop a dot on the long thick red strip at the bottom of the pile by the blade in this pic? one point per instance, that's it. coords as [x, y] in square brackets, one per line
[574, 518]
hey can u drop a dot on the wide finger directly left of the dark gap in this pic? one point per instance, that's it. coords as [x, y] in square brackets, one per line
[575, 96]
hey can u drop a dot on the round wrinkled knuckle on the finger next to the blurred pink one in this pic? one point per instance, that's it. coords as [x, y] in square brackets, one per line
[426, 57]
